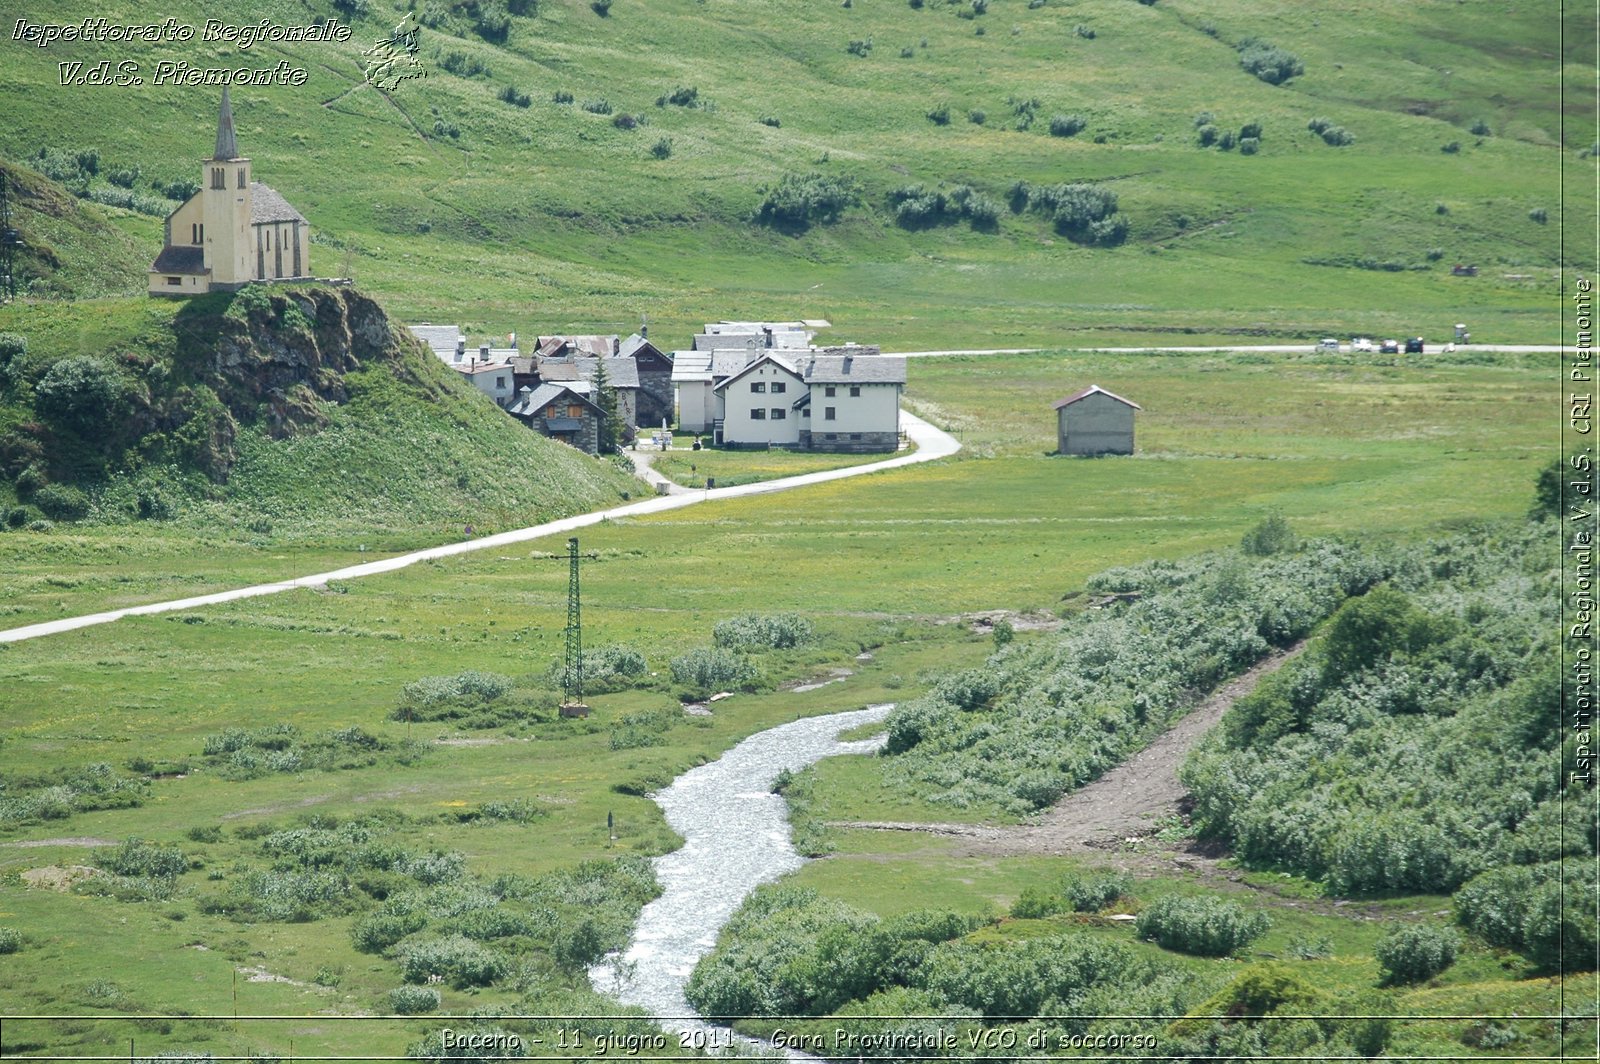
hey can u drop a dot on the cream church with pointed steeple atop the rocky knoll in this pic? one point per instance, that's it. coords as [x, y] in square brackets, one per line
[231, 233]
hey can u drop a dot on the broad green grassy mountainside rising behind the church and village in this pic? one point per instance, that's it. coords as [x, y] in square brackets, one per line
[454, 201]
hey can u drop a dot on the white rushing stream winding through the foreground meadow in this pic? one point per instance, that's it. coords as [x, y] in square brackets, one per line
[735, 838]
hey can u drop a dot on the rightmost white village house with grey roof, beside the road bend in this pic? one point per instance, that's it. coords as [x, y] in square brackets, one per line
[852, 401]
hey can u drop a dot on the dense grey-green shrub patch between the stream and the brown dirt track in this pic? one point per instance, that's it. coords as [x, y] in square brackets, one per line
[1049, 716]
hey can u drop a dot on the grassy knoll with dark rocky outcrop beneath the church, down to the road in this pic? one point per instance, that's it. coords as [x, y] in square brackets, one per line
[166, 449]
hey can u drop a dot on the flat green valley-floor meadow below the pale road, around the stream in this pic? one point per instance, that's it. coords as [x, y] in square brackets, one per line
[1358, 446]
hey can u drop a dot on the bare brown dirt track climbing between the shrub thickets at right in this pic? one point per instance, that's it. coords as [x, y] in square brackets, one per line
[1118, 809]
